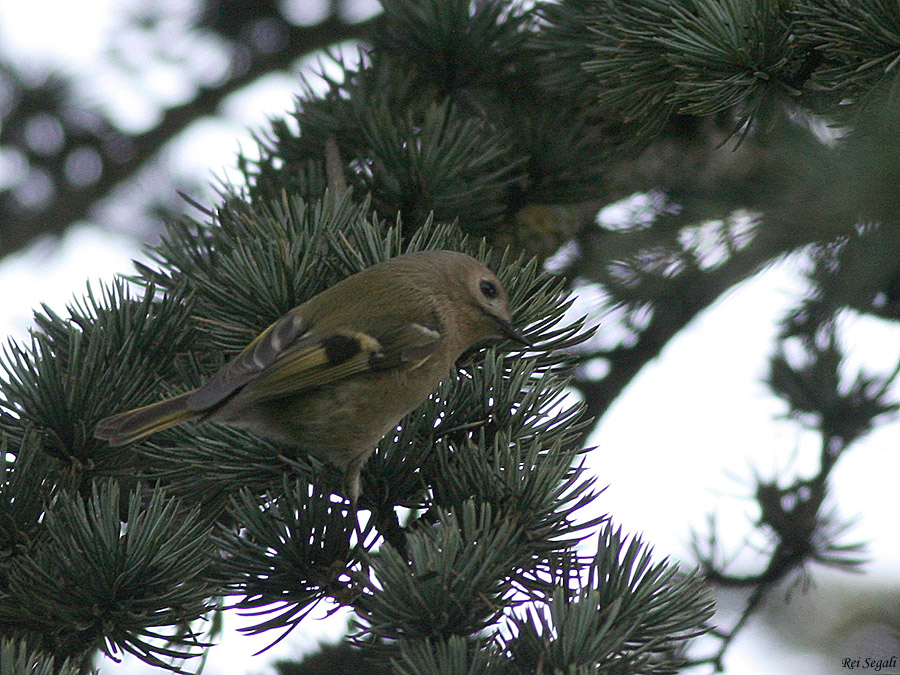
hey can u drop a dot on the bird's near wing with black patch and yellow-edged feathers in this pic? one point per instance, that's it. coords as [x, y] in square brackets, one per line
[317, 360]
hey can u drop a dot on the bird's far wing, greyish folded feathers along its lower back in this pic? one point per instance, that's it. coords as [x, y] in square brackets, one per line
[287, 332]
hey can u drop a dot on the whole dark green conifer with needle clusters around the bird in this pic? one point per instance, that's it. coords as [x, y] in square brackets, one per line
[499, 130]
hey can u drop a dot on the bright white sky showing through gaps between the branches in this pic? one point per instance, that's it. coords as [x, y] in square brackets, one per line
[709, 415]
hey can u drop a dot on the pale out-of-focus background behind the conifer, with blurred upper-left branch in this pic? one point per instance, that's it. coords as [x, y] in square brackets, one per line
[110, 110]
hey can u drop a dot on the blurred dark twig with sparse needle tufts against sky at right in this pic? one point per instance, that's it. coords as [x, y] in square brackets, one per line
[800, 527]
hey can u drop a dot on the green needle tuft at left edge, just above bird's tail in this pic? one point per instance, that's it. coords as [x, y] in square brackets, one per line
[107, 349]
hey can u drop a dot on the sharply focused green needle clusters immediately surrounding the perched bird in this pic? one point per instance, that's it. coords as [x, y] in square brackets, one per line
[488, 462]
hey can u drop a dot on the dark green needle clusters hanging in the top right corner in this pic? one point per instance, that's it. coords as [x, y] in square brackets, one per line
[749, 59]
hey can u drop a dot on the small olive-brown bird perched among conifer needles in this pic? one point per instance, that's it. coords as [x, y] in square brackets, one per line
[338, 372]
